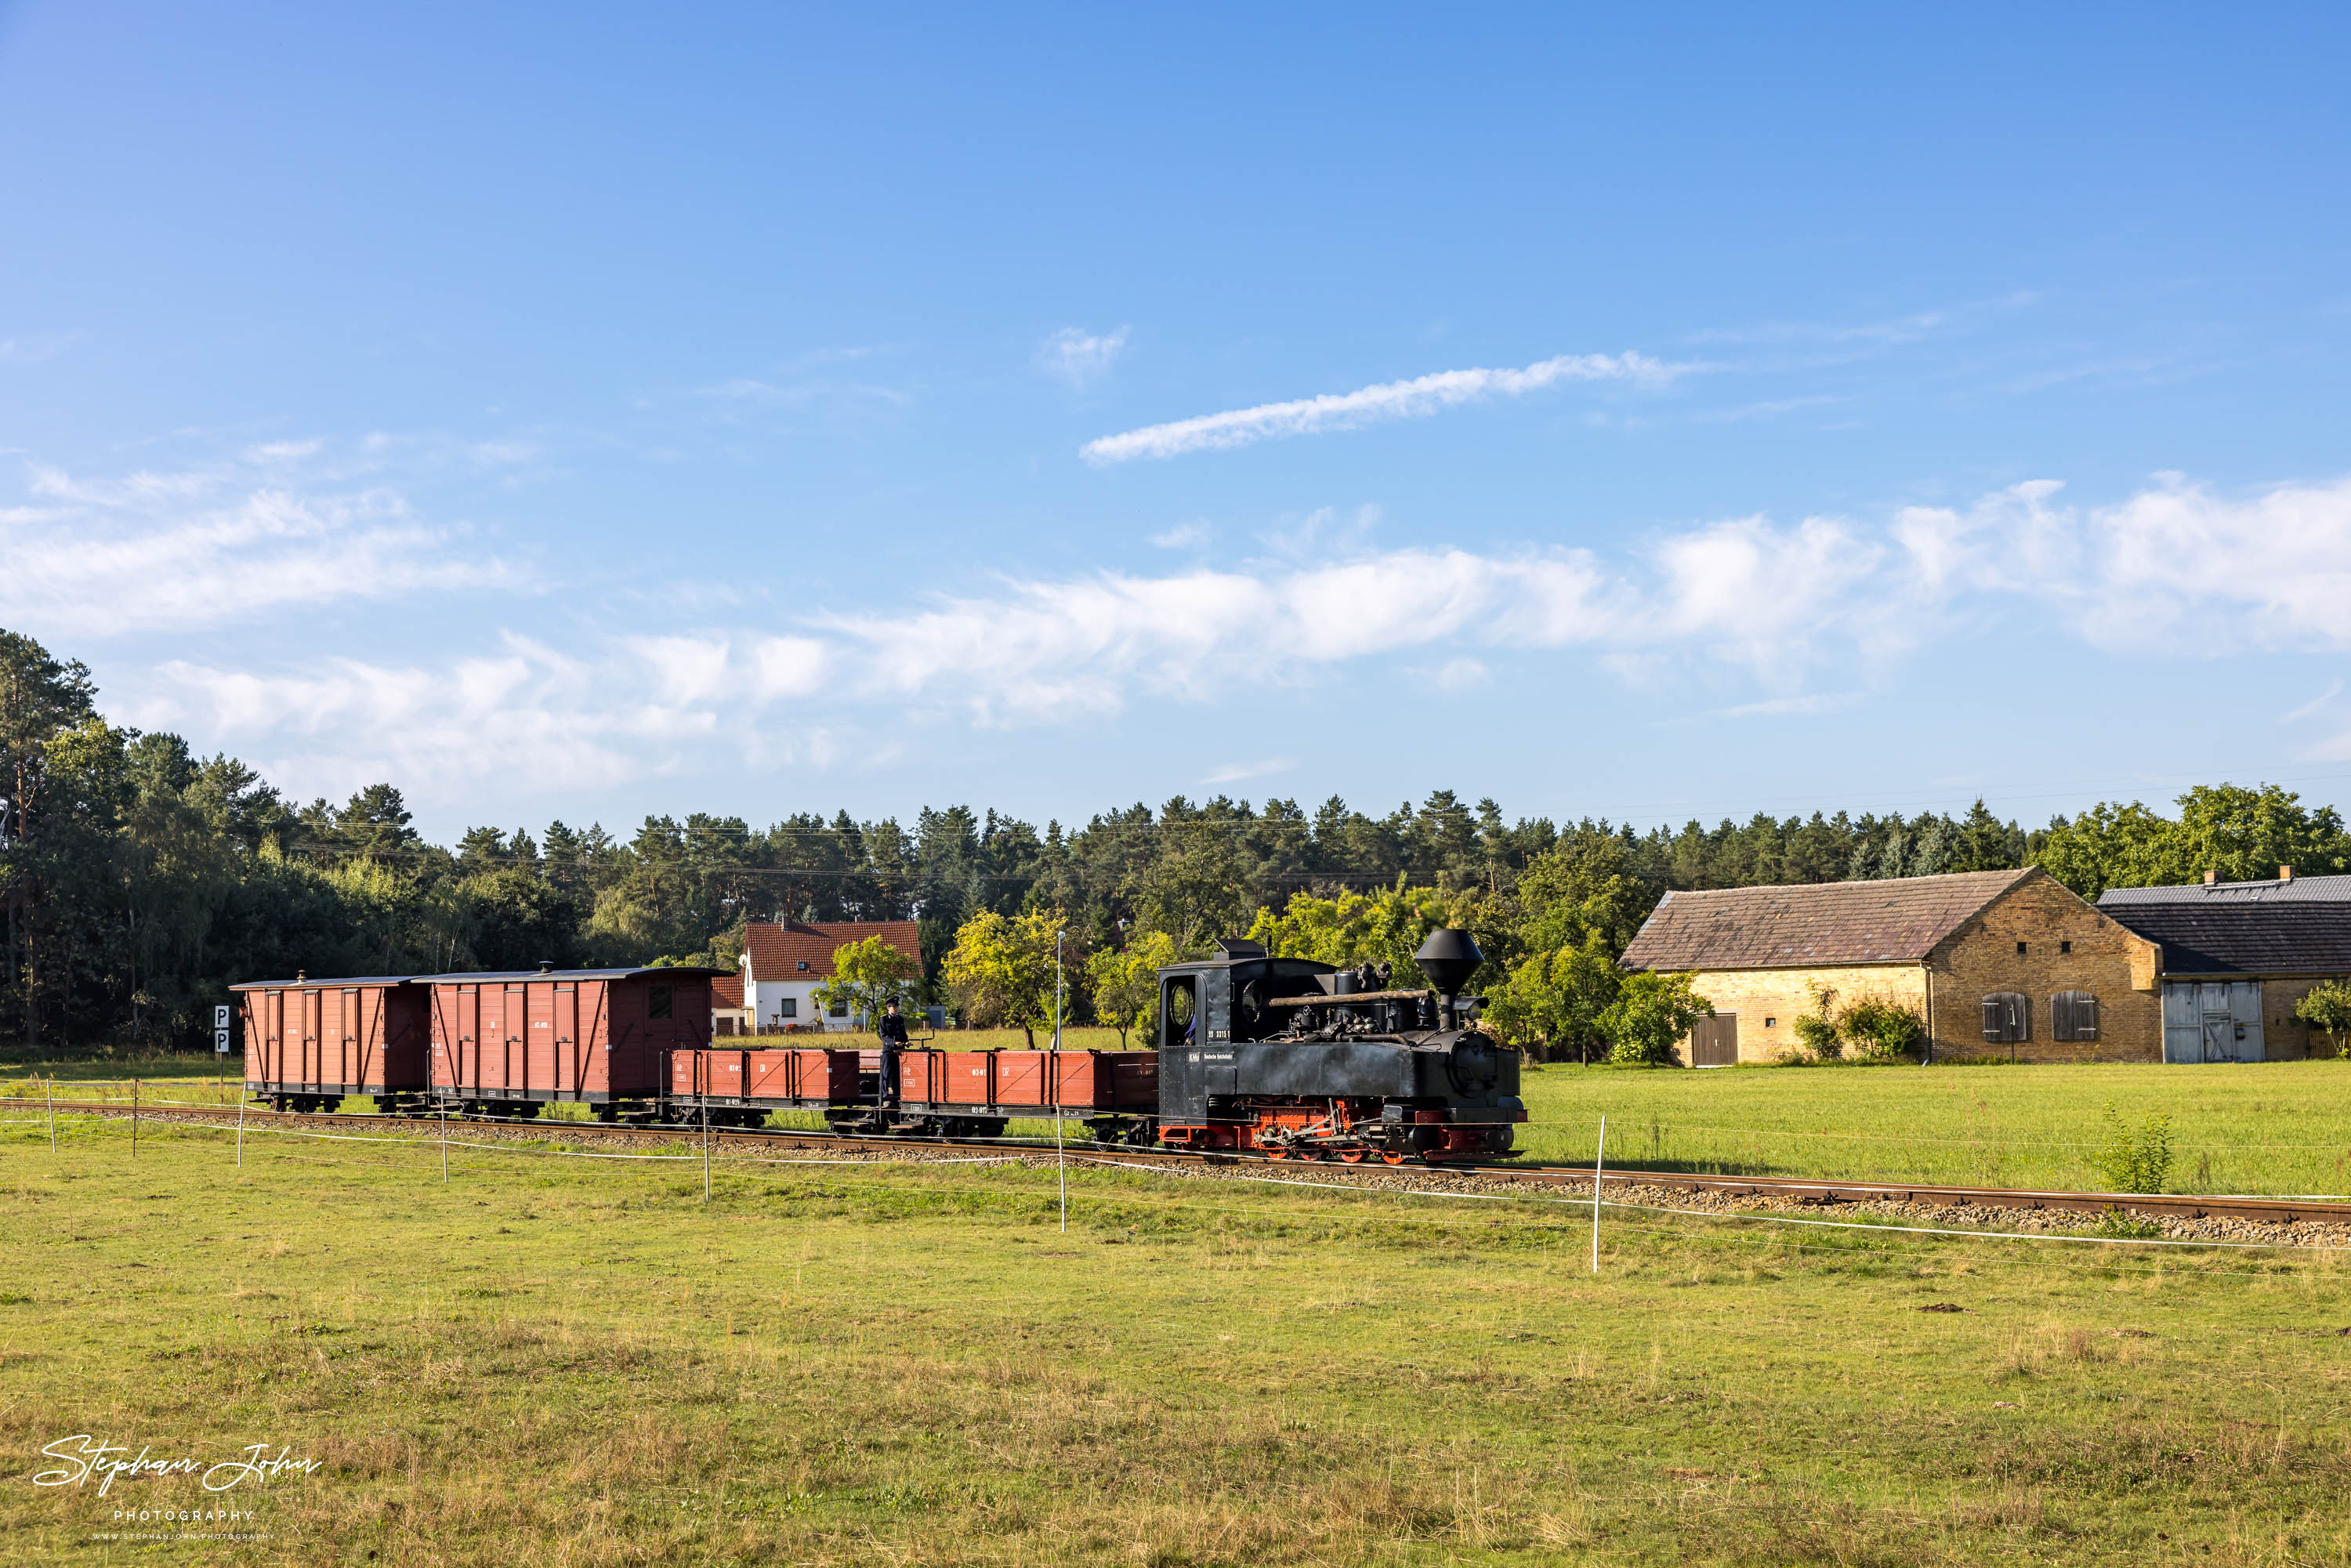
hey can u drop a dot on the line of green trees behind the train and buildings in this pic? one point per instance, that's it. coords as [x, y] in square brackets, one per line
[140, 880]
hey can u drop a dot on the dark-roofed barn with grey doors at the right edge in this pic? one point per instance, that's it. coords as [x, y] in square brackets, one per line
[2237, 958]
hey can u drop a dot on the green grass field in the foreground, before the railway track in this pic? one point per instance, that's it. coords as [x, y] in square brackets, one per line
[551, 1360]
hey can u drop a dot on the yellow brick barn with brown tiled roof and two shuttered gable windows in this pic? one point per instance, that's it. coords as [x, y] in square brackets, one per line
[1992, 963]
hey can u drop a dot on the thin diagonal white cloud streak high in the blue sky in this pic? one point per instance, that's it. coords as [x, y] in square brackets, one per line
[1369, 406]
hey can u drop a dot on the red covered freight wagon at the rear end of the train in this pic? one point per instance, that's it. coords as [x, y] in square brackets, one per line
[312, 1043]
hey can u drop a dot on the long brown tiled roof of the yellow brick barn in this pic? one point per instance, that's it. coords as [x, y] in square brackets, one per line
[1898, 920]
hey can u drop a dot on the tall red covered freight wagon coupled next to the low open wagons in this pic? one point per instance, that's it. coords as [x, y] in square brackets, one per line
[504, 1045]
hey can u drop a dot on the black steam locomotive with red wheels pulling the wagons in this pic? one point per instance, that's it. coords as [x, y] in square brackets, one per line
[1311, 1061]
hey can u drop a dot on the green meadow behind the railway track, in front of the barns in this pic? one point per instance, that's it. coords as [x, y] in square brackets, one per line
[2277, 1127]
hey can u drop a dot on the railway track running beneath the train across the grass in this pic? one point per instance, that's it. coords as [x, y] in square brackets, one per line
[1788, 1188]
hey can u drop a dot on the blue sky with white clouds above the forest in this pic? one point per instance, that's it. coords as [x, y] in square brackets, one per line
[1642, 413]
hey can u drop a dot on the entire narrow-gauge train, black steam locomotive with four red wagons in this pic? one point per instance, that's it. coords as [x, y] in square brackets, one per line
[1257, 1054]
